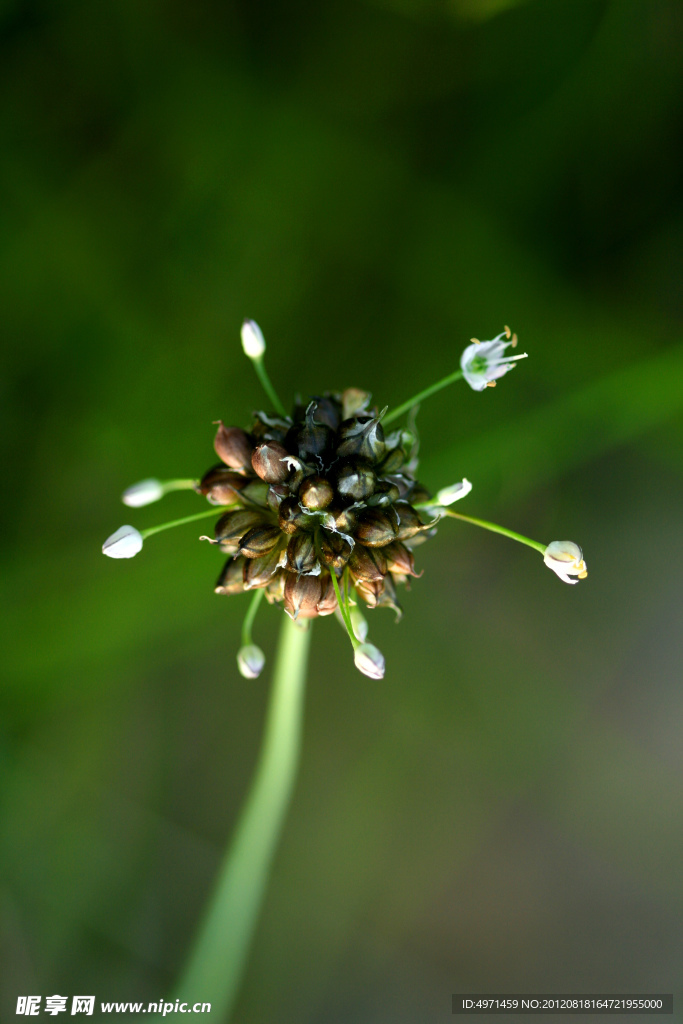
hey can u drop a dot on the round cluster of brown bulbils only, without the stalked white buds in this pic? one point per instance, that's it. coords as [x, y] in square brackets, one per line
[321, 494]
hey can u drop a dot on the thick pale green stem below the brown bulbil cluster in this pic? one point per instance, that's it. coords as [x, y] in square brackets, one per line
[219, 959]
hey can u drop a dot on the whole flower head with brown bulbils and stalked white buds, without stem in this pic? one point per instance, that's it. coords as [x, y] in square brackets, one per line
[323, 509]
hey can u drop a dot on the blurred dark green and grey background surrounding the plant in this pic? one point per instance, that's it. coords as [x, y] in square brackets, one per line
[374, 183]
